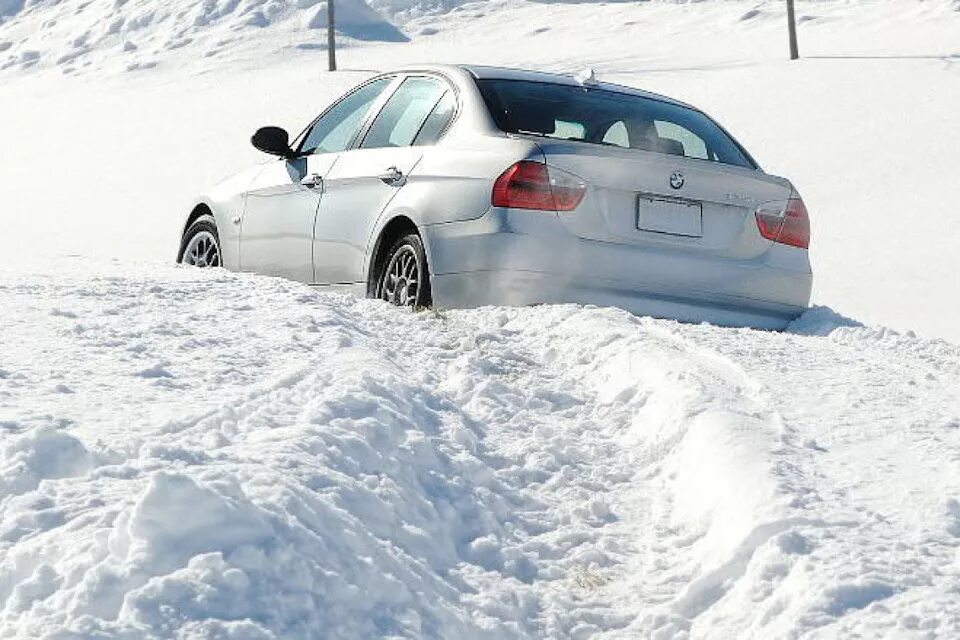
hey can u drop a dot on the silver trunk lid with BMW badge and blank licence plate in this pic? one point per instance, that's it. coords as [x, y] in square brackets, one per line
[658, 200]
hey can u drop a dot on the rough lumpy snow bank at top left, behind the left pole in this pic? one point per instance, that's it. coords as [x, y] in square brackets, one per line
[76, 36]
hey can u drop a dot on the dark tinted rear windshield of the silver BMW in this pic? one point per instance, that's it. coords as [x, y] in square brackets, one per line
[599, 116]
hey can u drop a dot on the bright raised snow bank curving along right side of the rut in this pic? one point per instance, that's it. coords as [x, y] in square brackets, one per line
[718, 466]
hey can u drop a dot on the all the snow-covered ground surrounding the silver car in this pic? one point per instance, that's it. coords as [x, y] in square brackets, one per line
[211, 455]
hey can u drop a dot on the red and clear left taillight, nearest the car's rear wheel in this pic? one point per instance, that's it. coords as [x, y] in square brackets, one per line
[533, 185]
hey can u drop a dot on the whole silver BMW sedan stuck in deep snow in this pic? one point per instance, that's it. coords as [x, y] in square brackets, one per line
[461, 186]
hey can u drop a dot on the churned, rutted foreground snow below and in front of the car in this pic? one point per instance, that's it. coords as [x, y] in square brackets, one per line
[194, 453]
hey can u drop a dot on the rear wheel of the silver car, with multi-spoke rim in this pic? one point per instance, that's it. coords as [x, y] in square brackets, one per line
[404, 280]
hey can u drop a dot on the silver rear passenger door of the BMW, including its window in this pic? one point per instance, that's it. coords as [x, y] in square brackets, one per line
[366, 178]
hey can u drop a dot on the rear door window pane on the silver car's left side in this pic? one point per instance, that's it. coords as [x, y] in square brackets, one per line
[405, 113]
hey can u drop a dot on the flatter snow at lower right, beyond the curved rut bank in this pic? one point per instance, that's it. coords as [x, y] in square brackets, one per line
[869, 406]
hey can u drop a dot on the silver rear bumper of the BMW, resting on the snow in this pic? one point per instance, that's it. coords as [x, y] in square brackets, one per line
[521, 258]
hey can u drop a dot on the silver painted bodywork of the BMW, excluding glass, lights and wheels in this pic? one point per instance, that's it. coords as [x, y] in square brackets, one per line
[722, 271]
